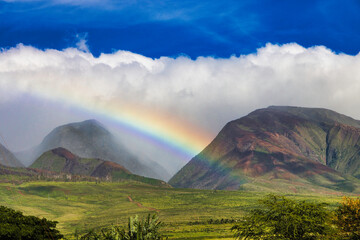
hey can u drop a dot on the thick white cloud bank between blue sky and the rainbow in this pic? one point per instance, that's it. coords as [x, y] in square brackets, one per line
[206, 92]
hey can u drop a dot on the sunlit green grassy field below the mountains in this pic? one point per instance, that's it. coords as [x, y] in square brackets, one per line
[185, 212]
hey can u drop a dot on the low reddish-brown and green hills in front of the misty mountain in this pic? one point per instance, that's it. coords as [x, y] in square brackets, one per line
[60, 160]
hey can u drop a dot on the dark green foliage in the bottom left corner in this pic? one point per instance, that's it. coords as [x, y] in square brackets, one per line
[14, 225]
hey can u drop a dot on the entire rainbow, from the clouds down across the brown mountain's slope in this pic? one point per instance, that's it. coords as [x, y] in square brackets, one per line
[158, 128]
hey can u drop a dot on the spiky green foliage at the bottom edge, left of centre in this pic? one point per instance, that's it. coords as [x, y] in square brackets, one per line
[146, 229]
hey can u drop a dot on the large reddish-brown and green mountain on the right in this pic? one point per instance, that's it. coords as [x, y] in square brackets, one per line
[292, 145]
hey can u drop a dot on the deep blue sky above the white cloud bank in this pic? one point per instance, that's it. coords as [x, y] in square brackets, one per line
[172, 28]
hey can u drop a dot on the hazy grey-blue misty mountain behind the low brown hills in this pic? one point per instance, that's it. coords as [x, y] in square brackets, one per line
[90, 139]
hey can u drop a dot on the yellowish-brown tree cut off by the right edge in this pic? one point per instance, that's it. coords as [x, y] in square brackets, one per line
[347, 218]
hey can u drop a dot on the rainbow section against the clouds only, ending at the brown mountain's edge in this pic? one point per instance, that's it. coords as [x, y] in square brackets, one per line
[156, 127]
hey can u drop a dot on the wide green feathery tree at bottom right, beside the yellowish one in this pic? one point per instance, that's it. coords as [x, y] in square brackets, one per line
[282, 218]
